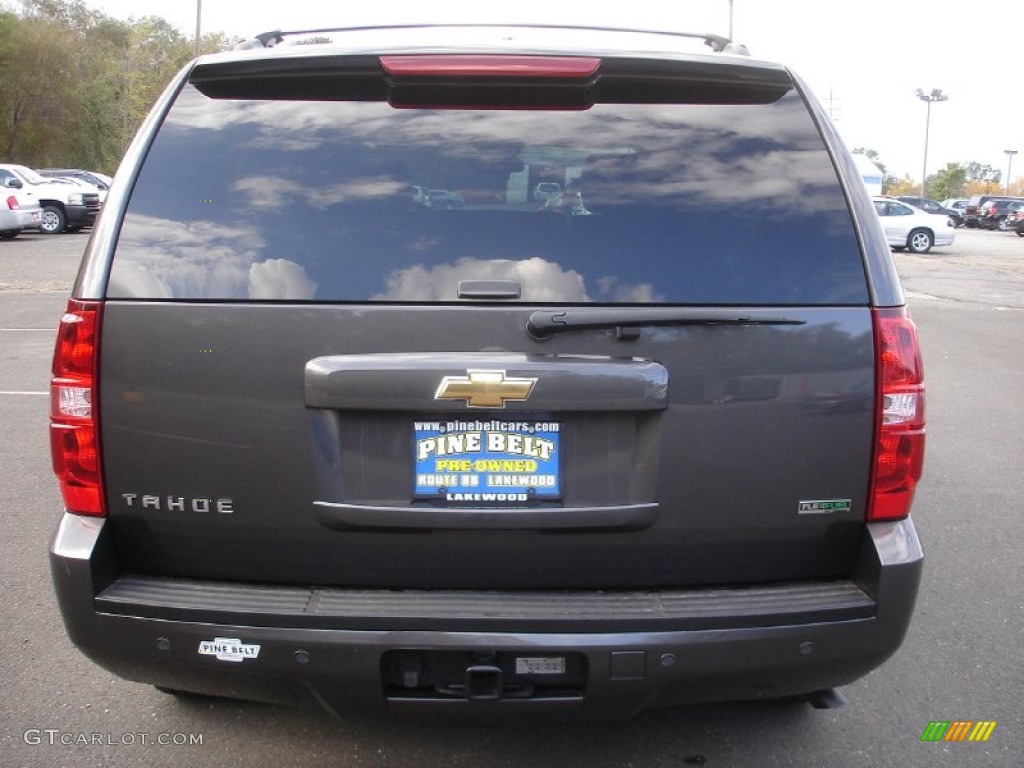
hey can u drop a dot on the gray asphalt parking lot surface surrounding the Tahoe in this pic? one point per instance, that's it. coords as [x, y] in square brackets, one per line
[962, 661]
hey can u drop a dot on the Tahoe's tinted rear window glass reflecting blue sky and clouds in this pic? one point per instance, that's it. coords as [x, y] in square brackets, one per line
[360, 202]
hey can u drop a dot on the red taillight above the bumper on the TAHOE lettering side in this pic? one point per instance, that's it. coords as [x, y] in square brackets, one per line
[74, 437]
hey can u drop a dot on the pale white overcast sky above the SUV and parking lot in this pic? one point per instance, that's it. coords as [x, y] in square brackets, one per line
[866, 59]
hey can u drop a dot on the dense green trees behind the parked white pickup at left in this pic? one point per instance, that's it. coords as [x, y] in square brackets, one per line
[76, 84]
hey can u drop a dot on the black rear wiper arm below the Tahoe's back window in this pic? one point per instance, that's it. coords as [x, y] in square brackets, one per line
[543, 324]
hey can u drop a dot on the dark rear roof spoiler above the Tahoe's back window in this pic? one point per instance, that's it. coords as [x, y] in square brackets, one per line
[366, 78]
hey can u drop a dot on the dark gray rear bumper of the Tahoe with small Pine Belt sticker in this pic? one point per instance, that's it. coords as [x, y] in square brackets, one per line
[310, 648]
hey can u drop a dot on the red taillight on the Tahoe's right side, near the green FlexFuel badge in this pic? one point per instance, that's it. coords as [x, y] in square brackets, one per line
[900, 453]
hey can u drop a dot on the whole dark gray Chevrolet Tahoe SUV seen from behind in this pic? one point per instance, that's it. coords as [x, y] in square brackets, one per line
[648, 442]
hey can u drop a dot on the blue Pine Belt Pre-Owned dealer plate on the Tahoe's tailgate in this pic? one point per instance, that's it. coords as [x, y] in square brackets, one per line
[487, 462]
